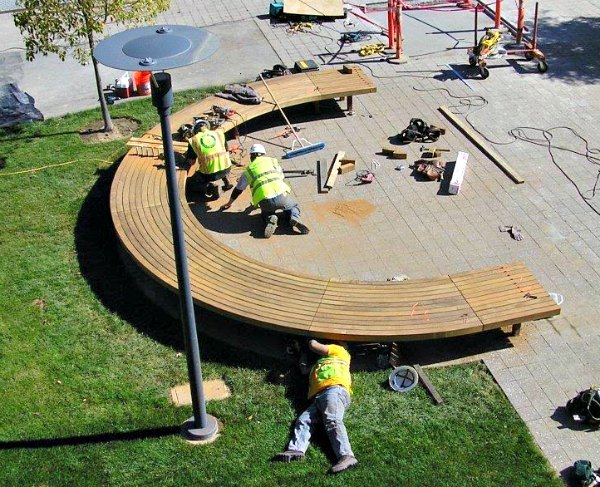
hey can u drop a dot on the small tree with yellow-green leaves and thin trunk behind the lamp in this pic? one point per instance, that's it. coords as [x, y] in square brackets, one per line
[73, 26]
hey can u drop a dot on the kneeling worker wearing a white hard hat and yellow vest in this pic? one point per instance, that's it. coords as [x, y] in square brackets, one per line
[269, 191]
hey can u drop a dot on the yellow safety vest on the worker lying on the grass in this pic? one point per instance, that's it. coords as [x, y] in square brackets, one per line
[330, 371]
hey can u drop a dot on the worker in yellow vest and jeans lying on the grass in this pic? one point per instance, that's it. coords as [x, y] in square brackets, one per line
[329, 389]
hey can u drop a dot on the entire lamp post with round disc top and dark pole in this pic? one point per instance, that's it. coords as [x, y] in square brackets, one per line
[156, 48]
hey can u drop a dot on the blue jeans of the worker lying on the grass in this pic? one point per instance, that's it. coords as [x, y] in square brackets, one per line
[328, 406]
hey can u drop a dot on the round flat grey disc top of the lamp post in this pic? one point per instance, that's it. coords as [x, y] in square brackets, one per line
[156, 48]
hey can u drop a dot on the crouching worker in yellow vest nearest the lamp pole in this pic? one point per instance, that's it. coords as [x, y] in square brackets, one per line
[208, 147]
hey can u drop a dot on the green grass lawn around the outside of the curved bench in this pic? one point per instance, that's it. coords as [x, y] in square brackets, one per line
[86, 363]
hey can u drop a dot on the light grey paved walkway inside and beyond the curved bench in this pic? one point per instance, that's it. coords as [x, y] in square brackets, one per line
[399, 225]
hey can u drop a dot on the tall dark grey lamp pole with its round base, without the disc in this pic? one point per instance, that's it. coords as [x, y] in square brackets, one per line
[201, 426]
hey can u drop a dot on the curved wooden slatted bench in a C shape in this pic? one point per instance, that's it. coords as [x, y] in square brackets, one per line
[232, 284]
